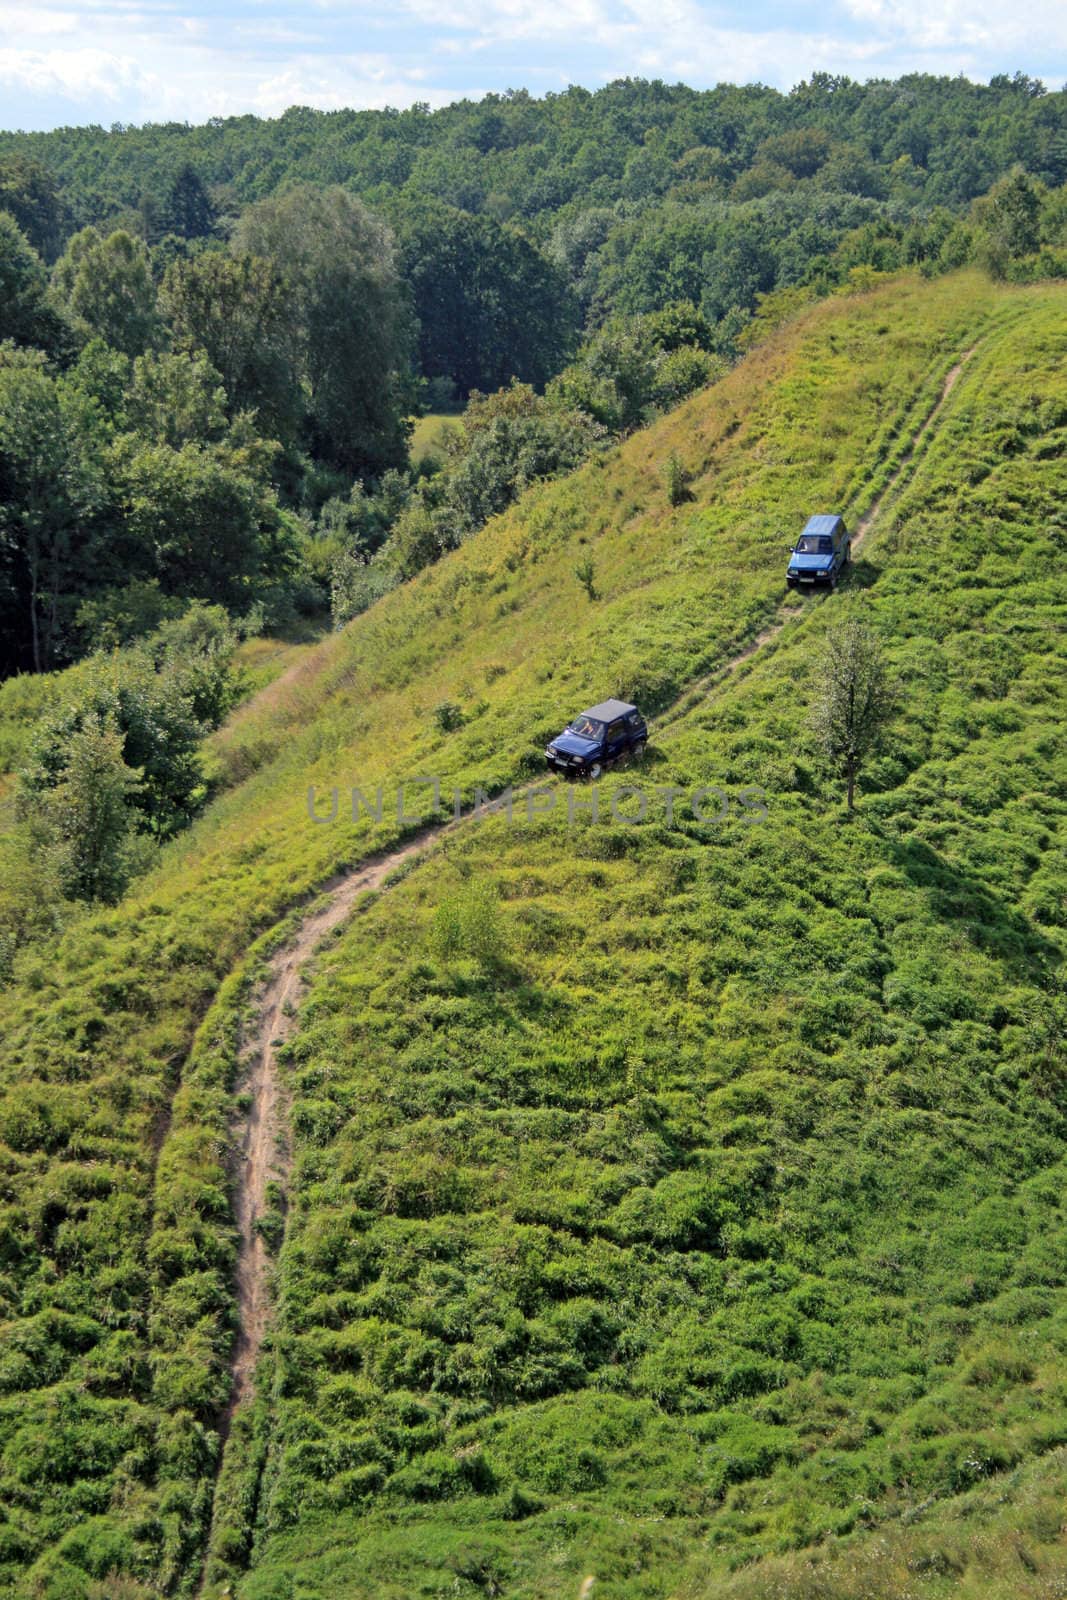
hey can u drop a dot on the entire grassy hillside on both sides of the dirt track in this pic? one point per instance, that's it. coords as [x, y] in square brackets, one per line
[663, 1198]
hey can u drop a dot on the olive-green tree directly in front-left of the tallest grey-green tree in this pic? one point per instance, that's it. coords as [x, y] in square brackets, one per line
[241, 311]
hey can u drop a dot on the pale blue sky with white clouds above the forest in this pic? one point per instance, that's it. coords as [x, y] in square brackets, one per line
[188, 60]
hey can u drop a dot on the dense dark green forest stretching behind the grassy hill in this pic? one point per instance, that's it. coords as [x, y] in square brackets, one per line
[217, 337]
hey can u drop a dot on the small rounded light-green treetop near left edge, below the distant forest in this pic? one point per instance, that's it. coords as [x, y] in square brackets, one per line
[106, 286]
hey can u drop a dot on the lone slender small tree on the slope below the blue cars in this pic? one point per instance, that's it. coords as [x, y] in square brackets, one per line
[855, 700]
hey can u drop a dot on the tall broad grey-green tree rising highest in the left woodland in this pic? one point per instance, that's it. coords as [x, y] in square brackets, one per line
[351, 322]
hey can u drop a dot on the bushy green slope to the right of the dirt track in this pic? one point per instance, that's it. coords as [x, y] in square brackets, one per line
[721, 1207]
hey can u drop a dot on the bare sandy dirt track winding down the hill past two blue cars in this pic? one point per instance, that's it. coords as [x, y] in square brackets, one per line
[263, 1153]
